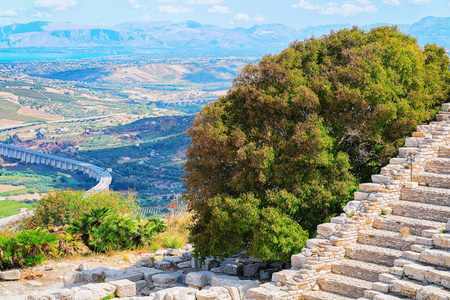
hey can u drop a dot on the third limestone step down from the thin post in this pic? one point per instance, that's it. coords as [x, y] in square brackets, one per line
[415, 226]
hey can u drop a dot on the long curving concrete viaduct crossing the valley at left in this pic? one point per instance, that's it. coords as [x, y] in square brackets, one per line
[29, 156]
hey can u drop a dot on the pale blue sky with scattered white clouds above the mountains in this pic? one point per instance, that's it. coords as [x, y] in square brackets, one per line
[225, 13]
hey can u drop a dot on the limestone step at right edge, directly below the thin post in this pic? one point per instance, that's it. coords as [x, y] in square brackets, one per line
[426, 194]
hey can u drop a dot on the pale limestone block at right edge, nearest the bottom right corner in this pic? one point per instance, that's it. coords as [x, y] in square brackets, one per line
[427, 273]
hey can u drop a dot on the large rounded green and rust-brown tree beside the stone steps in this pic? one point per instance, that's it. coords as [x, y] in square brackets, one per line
[283, 150]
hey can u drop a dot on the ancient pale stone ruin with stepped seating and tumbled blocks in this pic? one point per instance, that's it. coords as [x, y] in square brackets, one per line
[392, 242]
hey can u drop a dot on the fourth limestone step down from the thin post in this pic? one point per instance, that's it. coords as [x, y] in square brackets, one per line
[391, 239]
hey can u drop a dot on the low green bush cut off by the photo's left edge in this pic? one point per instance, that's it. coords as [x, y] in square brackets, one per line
[31, 247]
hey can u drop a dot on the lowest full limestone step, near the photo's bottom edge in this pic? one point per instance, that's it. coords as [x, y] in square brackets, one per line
[344, 285]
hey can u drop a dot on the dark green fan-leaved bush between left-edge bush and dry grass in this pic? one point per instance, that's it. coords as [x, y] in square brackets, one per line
[103, 230]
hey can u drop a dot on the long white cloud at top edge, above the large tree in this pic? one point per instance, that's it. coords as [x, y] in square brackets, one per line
[347, 9]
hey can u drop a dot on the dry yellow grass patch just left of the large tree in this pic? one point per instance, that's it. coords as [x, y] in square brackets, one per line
[177, 232]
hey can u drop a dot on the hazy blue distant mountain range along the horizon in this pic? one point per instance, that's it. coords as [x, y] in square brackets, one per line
[189, 35]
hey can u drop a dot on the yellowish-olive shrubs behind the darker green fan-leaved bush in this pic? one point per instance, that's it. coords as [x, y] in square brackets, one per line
[59, 208]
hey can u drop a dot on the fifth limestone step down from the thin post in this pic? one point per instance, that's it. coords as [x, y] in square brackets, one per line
[374, 254]
